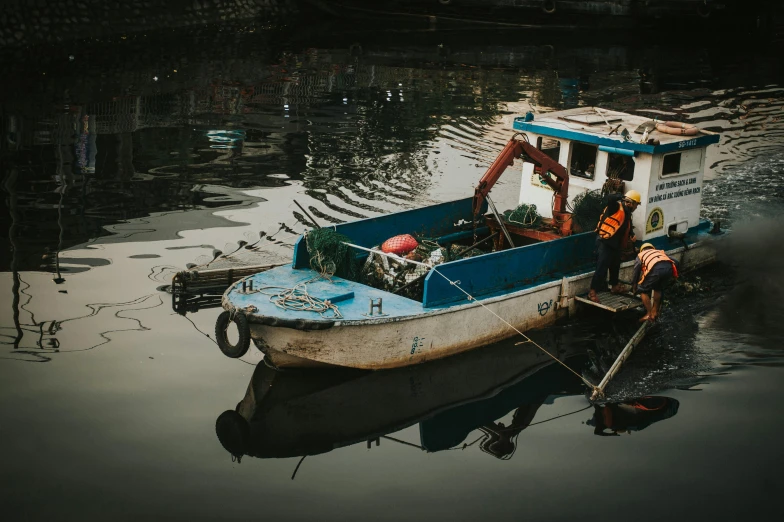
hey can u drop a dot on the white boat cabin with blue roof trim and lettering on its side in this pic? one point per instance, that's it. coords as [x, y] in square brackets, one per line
[601, 147]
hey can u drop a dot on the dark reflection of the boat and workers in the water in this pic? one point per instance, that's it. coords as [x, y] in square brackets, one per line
[299, 412]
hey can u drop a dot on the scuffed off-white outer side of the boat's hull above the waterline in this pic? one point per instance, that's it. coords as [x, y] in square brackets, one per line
[390, 343]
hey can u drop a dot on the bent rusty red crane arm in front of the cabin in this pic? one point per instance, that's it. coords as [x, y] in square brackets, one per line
[522, 149]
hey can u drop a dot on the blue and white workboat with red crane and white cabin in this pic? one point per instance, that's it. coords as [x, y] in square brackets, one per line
[530, 285]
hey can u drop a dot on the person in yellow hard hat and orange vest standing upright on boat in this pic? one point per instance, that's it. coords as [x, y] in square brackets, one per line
[615, 230]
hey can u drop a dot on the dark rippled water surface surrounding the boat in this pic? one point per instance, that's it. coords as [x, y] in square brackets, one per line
[123, 161]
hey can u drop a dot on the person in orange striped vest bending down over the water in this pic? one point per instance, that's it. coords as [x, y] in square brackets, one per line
[653, 269]
